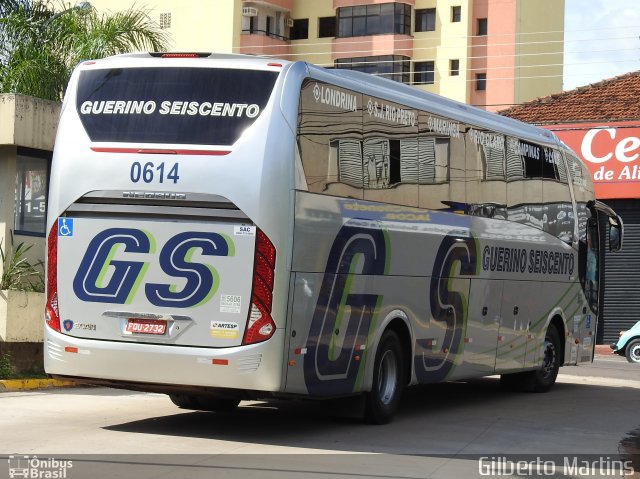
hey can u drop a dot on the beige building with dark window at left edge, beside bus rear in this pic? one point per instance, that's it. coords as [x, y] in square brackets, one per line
[26, 142]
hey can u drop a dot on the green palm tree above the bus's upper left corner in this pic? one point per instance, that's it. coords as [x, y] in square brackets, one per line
[41, 42]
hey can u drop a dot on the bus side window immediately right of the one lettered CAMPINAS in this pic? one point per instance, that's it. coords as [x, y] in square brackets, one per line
[557, 206]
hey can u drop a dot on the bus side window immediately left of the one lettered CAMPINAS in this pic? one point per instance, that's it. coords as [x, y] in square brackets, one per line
[485, 170]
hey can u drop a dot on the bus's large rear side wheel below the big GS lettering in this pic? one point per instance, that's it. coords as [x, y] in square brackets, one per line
[382, 401]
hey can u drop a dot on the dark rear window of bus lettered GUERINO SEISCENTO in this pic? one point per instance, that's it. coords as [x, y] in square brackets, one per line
[171, 105]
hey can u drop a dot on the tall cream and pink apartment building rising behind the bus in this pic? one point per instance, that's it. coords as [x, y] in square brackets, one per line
[488, 53]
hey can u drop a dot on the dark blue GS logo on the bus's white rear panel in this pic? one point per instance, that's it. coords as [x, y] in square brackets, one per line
[202, 280]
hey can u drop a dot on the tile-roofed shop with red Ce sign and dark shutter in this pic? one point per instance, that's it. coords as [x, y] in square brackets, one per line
[601, 123]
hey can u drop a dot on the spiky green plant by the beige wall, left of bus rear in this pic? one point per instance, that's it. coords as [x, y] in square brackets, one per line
[18, 272]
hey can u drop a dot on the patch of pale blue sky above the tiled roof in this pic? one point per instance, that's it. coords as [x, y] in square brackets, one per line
[602, 40]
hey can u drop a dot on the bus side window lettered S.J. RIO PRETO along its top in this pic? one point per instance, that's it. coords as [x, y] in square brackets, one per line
[389, 152]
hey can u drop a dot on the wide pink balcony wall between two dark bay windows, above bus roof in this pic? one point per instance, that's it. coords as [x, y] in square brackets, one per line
[373, 45]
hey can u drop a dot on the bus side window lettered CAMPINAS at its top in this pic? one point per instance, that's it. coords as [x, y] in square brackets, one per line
[524, 182]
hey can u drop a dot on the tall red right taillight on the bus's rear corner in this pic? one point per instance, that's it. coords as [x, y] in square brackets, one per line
[260, 325]
